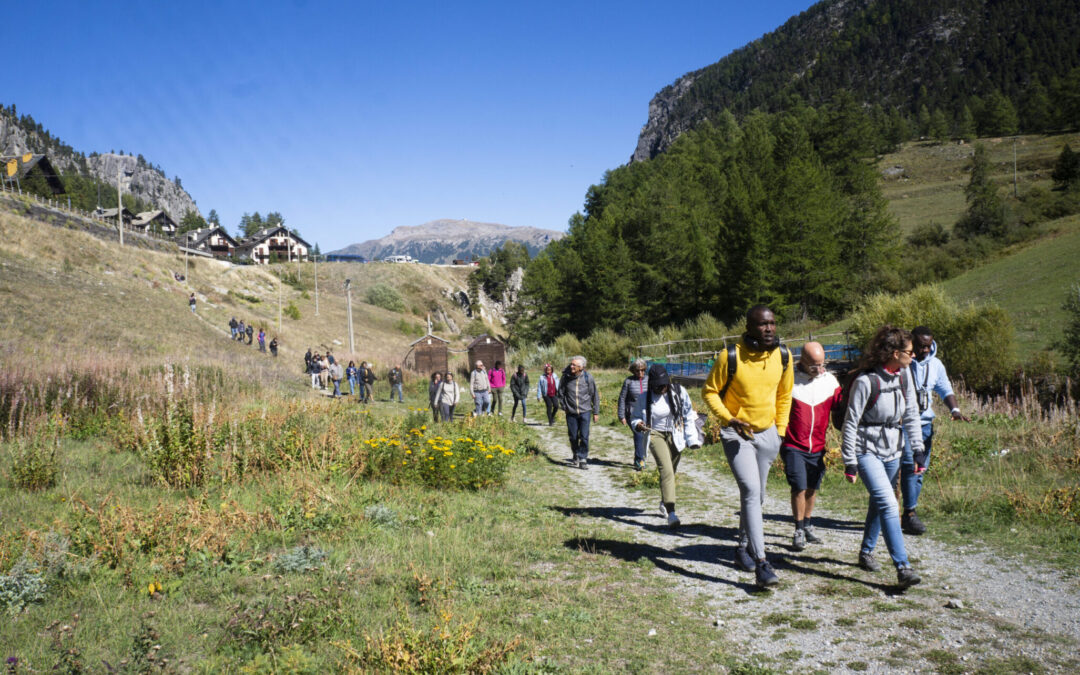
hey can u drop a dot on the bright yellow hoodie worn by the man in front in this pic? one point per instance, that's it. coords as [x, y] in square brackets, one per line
[761, 394]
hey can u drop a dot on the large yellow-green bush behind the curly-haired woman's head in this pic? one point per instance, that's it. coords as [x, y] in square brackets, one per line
[977, 343]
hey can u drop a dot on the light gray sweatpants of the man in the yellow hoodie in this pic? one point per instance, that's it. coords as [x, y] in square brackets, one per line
[750, 462]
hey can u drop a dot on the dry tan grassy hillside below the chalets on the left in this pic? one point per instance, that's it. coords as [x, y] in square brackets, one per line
[67, 293]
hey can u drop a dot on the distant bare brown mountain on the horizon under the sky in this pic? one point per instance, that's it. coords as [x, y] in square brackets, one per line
[445, 241]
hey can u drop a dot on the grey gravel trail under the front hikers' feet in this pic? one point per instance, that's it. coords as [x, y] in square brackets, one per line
[828, 614]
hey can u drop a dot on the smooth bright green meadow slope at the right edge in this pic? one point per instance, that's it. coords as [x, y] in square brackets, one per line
[1030, 283]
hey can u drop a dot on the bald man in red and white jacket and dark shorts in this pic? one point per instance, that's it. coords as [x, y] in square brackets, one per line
[814, 396]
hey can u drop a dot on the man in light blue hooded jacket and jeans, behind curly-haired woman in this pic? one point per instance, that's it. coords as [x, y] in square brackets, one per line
[929, 375]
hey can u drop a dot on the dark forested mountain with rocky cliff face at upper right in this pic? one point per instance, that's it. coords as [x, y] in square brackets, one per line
[987, 60]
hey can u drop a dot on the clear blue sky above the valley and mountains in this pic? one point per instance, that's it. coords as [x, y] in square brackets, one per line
[355, 118]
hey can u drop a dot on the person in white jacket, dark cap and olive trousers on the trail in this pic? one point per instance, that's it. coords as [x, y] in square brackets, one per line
[667, 417]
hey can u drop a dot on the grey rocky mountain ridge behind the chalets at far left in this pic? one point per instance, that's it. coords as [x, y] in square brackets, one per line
[146, 183]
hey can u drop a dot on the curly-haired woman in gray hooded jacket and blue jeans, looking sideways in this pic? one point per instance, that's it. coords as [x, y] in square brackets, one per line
[882, 402]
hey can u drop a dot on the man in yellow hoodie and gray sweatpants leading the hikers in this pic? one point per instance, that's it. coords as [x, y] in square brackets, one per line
[752, 404]
